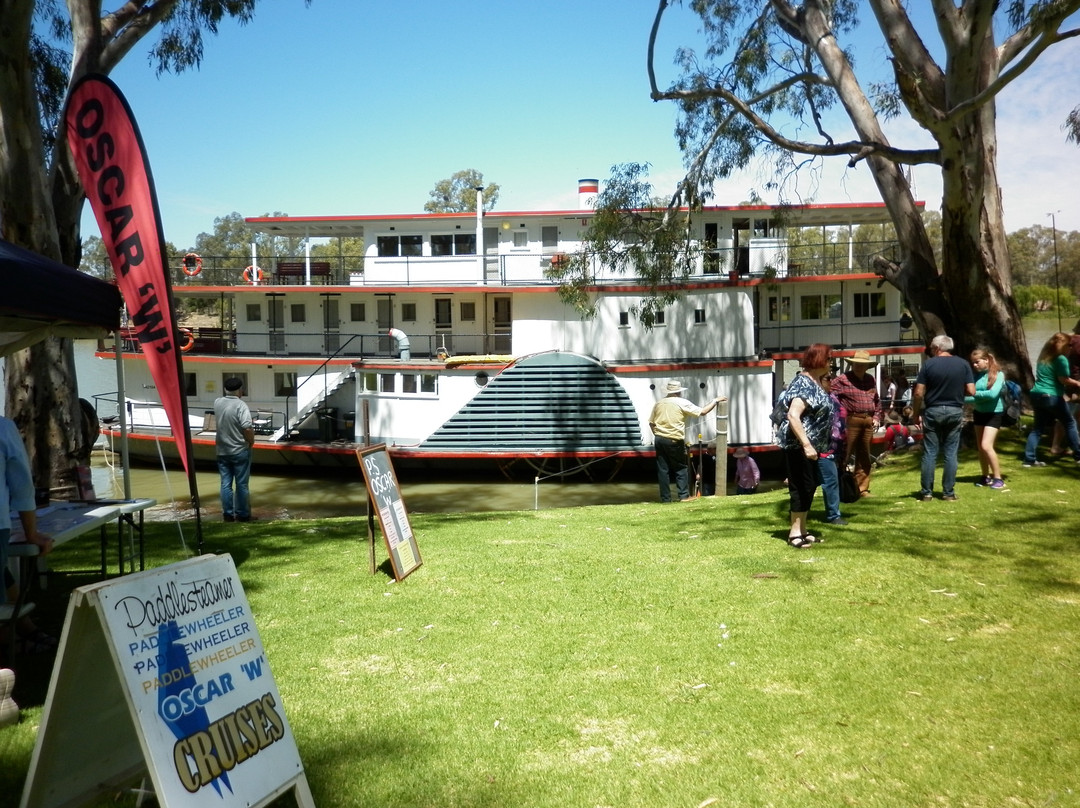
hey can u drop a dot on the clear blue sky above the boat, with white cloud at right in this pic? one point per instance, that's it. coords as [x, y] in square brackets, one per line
[354, 107]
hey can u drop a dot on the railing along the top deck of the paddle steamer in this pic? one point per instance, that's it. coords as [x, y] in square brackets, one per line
[760, 259]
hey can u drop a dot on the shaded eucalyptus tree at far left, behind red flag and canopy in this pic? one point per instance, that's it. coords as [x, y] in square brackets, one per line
[46, 47]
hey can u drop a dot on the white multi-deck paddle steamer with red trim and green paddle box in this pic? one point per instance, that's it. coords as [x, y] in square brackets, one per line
[501, 371]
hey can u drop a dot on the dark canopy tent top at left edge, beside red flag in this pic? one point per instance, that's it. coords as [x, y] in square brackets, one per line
[45, 299]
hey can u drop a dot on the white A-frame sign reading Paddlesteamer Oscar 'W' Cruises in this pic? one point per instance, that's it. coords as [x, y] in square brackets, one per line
[152, 669]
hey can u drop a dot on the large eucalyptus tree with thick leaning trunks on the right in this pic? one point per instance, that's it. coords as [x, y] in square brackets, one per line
[778, 84]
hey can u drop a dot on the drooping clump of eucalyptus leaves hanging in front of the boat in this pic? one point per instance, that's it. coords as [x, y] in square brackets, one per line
[629, 235]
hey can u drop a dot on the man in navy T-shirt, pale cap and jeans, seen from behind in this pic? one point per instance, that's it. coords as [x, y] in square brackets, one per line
[938, 406]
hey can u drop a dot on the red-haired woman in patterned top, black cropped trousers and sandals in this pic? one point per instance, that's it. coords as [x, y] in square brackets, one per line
[807, 432]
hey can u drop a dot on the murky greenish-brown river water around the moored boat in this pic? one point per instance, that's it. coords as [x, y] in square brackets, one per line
[344, 494]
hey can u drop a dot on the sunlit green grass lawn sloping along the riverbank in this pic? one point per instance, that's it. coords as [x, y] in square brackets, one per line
[665, 656]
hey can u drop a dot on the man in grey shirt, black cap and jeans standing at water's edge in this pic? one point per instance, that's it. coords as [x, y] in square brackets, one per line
[236, 436]
